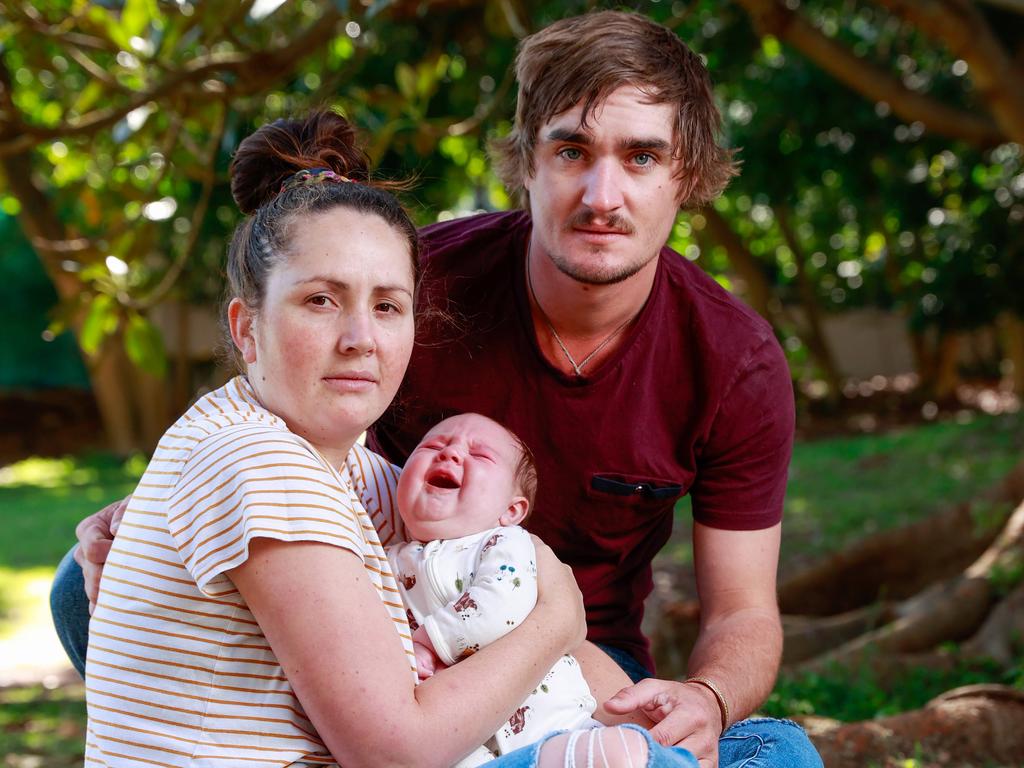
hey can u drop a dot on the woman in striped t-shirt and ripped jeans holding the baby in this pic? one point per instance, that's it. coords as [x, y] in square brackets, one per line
[248, 615]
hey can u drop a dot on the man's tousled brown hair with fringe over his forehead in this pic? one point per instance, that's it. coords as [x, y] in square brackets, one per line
[583, 60]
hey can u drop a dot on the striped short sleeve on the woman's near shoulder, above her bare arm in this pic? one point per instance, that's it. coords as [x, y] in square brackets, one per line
[249, 482]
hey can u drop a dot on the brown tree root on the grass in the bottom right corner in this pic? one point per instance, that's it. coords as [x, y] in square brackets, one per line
[972, 727]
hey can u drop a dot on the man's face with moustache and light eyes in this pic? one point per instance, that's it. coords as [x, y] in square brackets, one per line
[604, 198]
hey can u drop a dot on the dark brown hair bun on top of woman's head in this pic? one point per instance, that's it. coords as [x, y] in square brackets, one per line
[275, 152]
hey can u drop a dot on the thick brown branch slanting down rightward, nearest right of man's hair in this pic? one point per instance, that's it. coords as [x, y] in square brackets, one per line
[871, 80]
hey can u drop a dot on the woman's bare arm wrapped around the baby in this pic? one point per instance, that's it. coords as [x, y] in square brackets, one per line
[339, 650]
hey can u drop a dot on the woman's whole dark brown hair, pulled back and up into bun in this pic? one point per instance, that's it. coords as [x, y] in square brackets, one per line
[274, 155]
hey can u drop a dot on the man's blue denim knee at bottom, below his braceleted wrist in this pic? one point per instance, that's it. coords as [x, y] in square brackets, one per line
[766, 743]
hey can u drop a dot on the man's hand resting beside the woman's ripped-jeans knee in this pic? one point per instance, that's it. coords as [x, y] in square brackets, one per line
[688, 715]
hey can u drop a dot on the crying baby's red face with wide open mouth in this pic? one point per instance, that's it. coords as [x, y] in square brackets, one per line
[461, 481]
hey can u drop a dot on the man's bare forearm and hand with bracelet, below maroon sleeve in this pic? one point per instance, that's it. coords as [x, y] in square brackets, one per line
[738, 651]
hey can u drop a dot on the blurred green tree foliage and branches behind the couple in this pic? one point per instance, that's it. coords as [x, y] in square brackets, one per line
[881, 145]
